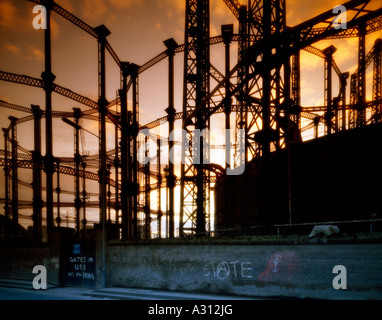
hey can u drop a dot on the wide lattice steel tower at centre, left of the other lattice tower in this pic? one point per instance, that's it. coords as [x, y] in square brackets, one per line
[194, 178]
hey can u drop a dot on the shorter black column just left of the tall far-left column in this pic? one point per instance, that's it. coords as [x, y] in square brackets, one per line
[37, 183]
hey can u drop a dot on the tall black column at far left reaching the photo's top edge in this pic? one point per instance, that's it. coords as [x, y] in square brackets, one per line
[48, 78]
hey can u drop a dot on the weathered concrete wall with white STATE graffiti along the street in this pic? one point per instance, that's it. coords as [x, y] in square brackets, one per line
[253, 270]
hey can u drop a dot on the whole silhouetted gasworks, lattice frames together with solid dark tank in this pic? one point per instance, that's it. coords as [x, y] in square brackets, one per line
[286, 180]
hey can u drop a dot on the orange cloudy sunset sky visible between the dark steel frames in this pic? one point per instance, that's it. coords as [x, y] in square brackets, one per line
[138, 29]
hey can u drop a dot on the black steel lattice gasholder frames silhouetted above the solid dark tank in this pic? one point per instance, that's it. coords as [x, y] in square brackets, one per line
[262, 91]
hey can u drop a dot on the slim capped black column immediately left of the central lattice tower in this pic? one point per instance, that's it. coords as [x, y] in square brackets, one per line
[171, 46]
